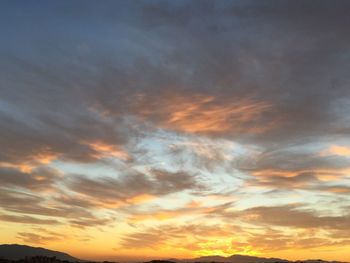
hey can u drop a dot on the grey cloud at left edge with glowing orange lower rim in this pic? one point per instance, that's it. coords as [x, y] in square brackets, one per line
[57, 135]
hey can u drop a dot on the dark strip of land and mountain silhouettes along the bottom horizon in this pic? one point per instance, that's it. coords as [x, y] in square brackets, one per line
[26, 254]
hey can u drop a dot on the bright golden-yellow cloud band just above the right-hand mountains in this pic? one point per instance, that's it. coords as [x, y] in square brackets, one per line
[311, 232]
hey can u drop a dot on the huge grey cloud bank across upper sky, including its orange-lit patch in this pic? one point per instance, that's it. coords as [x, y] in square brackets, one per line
[238, 82]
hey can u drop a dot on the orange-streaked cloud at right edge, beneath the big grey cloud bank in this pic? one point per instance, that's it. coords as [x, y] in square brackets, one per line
[292, 168]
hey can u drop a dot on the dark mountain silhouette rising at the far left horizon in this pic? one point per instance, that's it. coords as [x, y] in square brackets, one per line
[16, 252]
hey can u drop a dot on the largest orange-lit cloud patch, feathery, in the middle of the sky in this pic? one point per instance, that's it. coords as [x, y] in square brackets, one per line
[206, 114]
